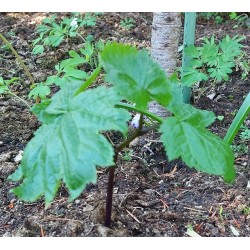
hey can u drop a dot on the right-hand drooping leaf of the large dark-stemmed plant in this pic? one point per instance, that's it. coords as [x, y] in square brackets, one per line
[185, 136]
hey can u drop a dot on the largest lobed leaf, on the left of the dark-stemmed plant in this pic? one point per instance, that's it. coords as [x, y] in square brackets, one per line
[69, 145]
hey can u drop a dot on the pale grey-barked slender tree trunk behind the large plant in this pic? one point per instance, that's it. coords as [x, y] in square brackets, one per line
[165, 36]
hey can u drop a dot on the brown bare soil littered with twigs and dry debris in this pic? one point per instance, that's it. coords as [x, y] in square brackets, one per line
[152, 197]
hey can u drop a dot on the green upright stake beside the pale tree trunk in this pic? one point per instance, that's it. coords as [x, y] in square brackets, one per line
[189, 35]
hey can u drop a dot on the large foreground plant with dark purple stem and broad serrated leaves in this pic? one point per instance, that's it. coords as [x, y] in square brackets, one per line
[71, 141]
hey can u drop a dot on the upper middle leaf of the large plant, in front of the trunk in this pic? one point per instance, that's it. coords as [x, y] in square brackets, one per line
[135, 75]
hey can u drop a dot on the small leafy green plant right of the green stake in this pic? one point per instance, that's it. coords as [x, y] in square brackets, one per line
[212, 61]
